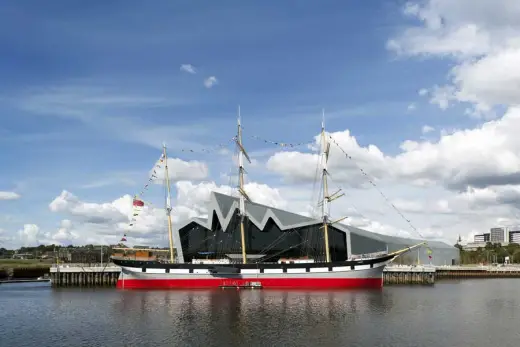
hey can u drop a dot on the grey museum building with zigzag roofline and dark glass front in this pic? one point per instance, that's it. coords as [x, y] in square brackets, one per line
[271, 234]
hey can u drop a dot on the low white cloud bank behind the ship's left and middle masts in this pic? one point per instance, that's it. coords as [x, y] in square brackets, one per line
[106, 222]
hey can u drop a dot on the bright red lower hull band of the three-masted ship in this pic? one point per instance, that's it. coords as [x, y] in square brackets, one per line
[300, 283]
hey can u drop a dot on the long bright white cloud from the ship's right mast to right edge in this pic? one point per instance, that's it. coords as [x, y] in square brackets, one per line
[487, 155]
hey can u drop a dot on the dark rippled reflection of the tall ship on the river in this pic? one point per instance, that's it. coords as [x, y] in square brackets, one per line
[245, 315]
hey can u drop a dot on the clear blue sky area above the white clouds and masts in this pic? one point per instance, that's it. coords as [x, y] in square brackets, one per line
[89, 91]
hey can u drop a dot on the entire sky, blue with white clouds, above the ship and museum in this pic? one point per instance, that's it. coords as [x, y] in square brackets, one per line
[422, 95]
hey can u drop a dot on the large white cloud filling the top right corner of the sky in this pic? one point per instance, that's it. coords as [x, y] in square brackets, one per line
[483, 39]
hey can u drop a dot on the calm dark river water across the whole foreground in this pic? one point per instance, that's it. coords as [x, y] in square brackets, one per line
[478, 313]
